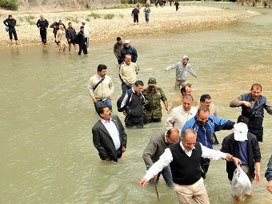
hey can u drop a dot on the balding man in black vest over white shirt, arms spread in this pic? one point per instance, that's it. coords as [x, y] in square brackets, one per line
[184, 159]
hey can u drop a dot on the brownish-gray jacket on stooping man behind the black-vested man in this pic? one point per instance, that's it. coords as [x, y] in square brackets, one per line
[154, 149]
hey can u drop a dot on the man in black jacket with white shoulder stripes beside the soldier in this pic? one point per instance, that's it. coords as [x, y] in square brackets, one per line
[132, 105]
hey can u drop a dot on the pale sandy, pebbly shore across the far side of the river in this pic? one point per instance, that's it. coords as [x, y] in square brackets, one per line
[162, 20]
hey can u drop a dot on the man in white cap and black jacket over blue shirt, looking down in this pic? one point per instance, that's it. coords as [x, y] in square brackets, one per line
[243, 145]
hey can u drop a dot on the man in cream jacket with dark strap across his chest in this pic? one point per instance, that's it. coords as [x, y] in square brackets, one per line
[101, 88]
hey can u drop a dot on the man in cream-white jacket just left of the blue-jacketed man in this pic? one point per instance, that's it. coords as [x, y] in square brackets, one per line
[179, 115]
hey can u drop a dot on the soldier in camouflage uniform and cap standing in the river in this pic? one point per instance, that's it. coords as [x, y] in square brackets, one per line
[153, 96]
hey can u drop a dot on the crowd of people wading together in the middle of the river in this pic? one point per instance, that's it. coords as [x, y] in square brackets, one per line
[182, 152]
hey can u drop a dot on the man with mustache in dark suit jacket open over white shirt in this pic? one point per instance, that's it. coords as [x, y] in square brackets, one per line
[109, 136]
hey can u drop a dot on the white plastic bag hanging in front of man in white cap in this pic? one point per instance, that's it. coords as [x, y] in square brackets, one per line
[240, 184]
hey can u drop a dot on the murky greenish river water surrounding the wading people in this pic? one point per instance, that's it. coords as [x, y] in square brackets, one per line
[47, 154]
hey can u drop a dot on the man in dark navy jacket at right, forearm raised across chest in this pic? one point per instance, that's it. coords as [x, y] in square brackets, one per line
[253, 105]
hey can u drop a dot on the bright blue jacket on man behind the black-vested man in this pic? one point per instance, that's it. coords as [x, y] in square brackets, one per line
[205, 132]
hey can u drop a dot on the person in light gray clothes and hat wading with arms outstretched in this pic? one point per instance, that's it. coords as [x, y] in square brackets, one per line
[182, 69]
